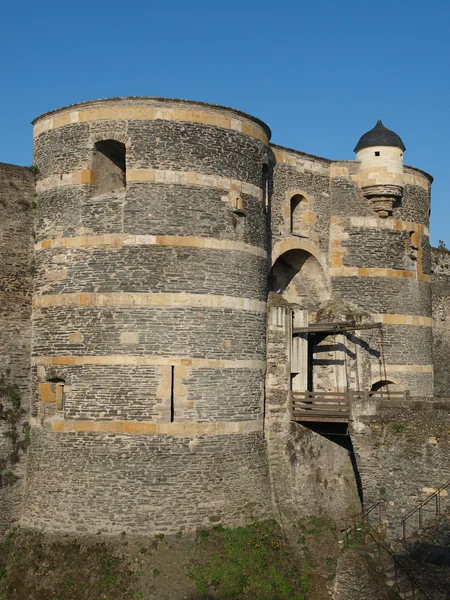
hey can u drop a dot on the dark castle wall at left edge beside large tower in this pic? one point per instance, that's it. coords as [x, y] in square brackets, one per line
[16, 283]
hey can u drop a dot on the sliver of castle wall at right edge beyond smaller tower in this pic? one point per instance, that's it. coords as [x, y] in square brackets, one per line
[441, 320]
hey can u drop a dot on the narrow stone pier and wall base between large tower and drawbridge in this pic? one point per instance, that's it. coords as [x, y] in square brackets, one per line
[310, 473]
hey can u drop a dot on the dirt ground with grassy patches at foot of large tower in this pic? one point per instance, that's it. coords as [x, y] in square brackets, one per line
[256, 562]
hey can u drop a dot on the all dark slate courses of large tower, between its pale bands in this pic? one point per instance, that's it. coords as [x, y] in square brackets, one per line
[140, 470]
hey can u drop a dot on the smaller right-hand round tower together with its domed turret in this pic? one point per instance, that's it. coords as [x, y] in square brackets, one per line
[386, 259]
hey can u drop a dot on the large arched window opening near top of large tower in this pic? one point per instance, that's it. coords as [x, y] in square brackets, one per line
[108, 164]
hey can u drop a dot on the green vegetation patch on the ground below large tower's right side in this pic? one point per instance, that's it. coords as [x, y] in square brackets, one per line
[251, 562]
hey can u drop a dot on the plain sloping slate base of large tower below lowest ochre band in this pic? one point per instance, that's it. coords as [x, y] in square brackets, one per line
[150, 483]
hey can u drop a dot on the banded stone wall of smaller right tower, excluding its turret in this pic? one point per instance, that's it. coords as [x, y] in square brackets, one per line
[383, 266]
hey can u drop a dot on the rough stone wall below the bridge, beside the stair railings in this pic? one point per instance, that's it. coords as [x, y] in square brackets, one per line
[403, 453]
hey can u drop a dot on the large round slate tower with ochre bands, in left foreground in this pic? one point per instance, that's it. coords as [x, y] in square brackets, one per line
[149, 317]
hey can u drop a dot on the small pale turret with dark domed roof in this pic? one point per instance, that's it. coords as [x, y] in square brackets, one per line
[380, 152]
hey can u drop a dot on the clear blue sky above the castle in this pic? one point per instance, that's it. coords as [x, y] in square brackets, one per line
[319, 73]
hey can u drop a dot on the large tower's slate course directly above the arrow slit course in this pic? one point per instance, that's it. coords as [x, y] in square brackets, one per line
[181, 331]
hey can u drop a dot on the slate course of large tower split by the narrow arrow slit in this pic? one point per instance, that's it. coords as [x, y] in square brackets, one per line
[109, 392]
